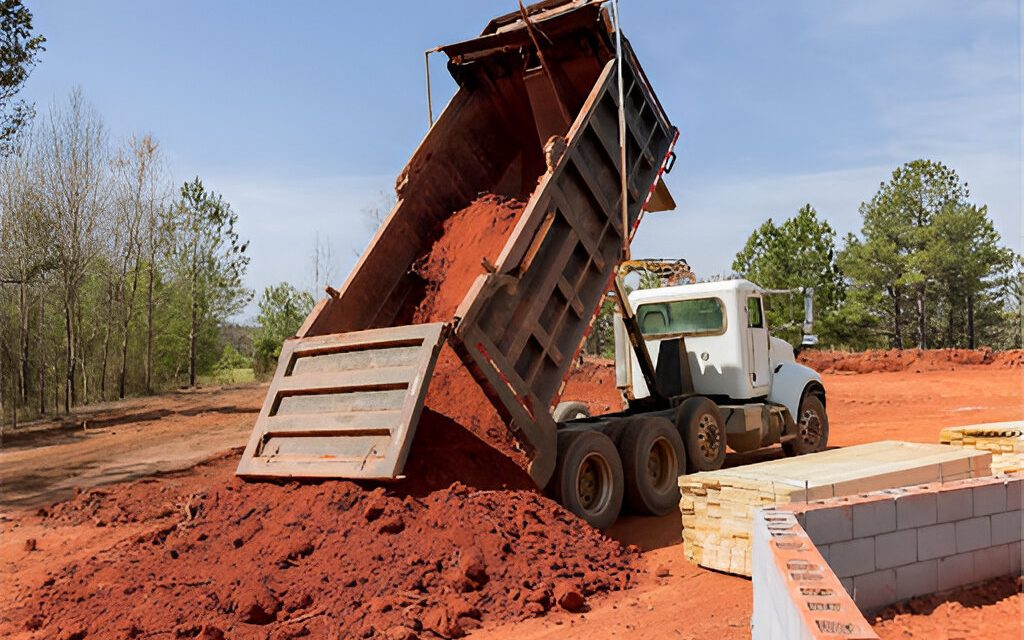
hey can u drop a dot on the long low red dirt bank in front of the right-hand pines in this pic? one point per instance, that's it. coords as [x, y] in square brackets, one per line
[909, 360]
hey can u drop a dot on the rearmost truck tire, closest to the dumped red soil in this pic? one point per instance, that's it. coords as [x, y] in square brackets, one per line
[588, 478]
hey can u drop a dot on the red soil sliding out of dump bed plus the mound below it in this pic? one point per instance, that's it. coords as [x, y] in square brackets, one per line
[463, 540]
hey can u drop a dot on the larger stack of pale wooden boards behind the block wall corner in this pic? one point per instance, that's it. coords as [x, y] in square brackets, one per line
[718, 506]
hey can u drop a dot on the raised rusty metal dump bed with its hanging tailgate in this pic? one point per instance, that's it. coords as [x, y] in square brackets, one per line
[536, 126]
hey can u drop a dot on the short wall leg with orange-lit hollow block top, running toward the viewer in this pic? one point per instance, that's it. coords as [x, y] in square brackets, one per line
[796, 596]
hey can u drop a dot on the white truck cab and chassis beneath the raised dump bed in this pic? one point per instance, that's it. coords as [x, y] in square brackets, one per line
[721, 380]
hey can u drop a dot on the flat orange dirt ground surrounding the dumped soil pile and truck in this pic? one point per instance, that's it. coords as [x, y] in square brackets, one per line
[161, 441]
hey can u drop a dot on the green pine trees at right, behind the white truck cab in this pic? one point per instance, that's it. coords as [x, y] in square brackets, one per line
[927, 270]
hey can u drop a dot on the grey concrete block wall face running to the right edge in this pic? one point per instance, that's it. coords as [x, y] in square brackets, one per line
[898, 544]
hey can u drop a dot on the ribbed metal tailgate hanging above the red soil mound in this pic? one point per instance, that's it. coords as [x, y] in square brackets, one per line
[345, 405]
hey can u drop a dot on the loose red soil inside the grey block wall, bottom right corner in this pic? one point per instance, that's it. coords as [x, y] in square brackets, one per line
[994, 611]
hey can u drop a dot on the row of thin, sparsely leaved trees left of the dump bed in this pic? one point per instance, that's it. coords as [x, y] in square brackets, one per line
[112, 281]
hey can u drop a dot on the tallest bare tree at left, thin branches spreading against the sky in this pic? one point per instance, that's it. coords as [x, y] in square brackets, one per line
[71, 165]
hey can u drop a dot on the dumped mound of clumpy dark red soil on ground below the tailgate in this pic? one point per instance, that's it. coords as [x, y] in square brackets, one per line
[328, 561]
